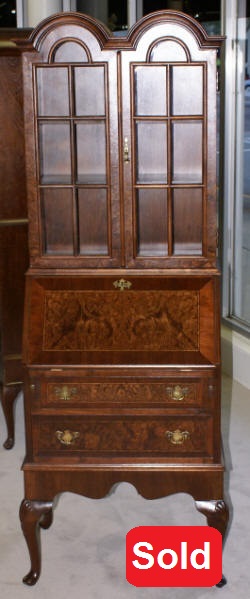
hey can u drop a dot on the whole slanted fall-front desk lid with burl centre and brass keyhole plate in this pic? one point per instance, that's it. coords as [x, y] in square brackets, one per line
[135, 320]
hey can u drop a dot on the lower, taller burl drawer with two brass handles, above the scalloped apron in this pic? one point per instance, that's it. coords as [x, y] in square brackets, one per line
[115, 436]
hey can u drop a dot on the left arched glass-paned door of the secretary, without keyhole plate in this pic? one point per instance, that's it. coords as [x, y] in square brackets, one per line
[75, 216]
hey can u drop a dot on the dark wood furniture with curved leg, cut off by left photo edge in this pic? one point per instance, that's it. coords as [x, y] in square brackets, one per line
[13, 231]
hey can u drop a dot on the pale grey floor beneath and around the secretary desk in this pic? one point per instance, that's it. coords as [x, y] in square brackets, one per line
[83, 552]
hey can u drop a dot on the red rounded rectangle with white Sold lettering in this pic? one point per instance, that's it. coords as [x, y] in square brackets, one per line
[173, 556]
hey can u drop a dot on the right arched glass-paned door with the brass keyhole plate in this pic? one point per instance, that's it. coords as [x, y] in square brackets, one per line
[169, 150]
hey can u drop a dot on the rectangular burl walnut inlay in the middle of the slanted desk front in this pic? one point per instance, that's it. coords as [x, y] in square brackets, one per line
[114, 320]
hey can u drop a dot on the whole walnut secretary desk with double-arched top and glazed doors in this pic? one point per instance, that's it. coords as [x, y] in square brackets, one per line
[121, 344]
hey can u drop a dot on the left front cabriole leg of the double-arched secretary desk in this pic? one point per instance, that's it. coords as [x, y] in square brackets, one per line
[34, 514]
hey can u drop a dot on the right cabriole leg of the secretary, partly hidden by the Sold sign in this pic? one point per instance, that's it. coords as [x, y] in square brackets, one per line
[217, 515]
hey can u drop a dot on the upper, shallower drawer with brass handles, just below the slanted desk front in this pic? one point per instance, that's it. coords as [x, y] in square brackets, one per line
[175, 392]
